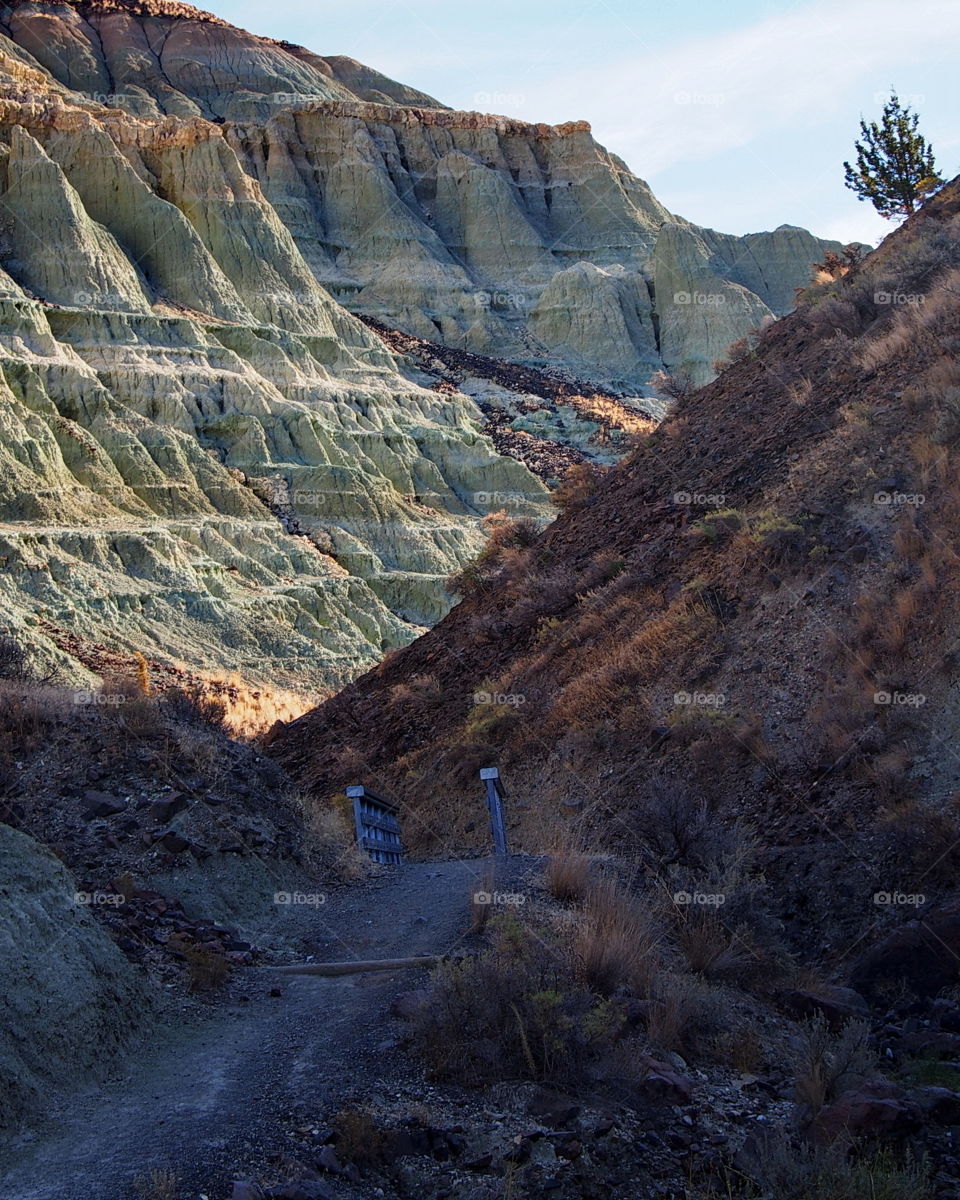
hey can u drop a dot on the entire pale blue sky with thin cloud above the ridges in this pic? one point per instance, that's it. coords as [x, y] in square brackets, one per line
[739, 113]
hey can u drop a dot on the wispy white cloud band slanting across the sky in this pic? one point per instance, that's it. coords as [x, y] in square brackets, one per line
[715, 94]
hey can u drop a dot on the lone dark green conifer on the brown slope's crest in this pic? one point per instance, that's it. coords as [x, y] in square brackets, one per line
[895, 163]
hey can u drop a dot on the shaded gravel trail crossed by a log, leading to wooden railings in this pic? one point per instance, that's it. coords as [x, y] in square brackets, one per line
[214, 1101]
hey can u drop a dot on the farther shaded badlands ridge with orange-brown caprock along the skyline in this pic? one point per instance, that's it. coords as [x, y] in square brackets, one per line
[460, 227]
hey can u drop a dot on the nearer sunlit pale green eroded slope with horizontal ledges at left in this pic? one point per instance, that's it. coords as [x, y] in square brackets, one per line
[205, 458]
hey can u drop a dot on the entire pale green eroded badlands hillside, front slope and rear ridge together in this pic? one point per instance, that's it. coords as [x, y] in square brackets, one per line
[206, 458]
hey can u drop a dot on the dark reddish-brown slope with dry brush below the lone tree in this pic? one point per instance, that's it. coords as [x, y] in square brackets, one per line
[758, 607]
